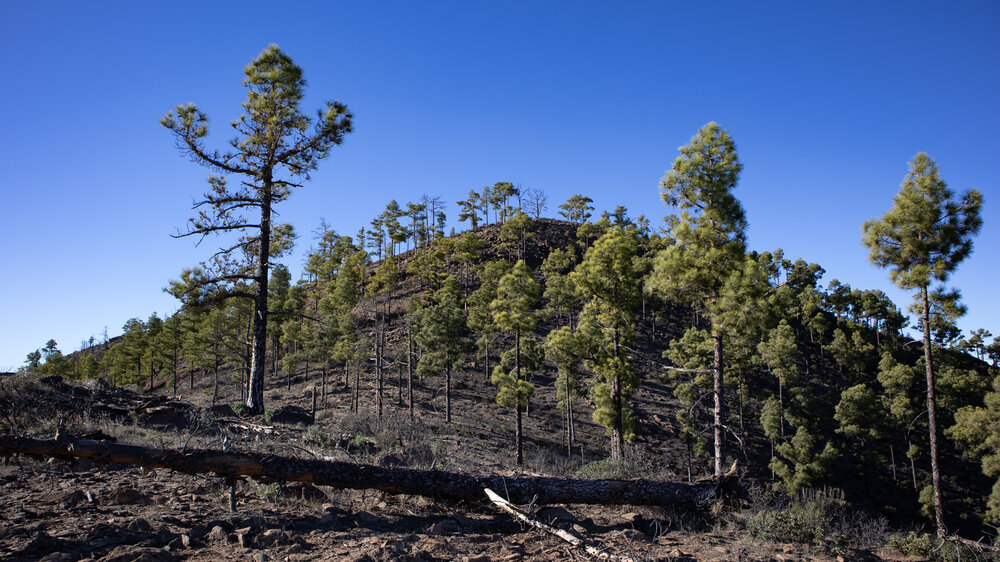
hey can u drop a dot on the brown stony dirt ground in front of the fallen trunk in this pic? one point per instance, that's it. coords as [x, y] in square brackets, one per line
[59, 511]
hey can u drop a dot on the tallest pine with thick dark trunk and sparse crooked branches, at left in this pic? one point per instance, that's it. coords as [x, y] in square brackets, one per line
[272, 150]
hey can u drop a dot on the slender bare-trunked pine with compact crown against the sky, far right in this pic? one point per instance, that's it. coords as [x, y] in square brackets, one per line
[922, 239]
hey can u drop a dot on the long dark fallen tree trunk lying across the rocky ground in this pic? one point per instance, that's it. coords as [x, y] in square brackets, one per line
[338, 474]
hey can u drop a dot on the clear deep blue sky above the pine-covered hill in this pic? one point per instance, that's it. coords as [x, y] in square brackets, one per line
[827, 102]
